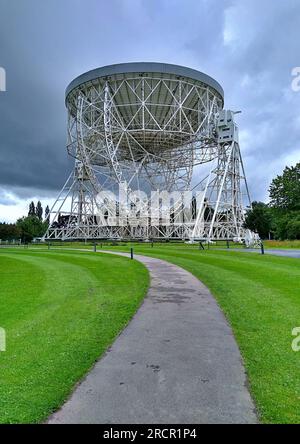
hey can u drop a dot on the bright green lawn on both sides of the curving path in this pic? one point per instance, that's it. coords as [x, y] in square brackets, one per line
[259, 295]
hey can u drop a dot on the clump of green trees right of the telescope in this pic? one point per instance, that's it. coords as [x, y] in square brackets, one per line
[280, 218]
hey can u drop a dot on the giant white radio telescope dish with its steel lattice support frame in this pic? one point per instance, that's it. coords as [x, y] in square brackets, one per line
[136, 132]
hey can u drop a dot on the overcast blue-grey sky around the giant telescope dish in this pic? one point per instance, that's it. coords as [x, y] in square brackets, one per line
[249, 46]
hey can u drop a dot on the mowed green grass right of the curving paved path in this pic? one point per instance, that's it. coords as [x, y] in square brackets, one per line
[260, 296]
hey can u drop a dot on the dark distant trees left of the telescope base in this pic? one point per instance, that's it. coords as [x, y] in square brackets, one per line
[27, 227]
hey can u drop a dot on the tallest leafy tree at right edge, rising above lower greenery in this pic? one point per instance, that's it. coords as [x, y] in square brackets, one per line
[285, 190]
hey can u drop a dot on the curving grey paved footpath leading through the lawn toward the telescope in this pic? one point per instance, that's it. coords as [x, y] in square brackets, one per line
[176, 362]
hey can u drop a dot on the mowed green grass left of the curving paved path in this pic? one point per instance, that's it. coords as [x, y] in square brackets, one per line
[61, 310]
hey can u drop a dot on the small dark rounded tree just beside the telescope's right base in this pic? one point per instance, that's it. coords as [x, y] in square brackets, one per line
[259, 219]
